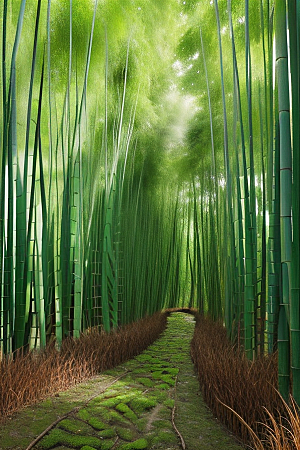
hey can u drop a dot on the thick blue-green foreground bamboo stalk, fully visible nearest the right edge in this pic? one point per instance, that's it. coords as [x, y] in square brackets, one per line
[285, 191]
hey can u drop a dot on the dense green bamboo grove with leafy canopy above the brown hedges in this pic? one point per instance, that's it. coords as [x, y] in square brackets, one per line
[150, 159]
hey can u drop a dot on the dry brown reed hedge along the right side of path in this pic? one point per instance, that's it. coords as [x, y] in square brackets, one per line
[228, 378]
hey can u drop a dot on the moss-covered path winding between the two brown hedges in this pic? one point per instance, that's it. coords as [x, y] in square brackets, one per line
[150, 402]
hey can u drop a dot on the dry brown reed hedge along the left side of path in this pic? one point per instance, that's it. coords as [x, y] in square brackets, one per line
[27, 377]
